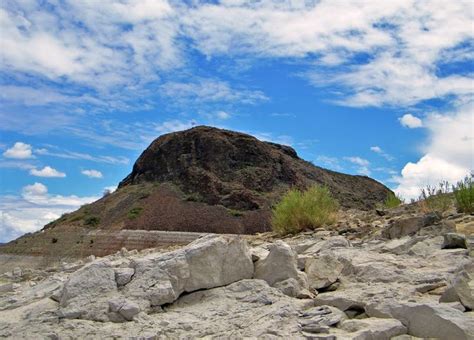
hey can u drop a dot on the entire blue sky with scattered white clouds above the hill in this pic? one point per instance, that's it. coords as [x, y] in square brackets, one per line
[382, 89]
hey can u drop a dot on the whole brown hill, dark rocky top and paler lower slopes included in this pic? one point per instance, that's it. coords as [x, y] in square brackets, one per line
[200, 180]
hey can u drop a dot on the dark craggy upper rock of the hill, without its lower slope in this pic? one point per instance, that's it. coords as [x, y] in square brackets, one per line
[240, 172]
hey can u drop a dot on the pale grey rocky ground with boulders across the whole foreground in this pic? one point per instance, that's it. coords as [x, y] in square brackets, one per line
[406, 276]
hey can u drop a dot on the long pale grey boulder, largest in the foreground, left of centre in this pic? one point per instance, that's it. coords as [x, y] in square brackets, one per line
[157, 279]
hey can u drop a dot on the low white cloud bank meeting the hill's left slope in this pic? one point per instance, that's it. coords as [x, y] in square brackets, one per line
[33, 209]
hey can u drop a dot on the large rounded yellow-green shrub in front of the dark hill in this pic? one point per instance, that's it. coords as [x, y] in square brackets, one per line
[298, 210]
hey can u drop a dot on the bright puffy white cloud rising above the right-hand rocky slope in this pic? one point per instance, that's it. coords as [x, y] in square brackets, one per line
[448, 155]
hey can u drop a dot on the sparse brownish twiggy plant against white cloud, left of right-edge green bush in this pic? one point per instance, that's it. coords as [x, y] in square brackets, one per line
[436, 198]
